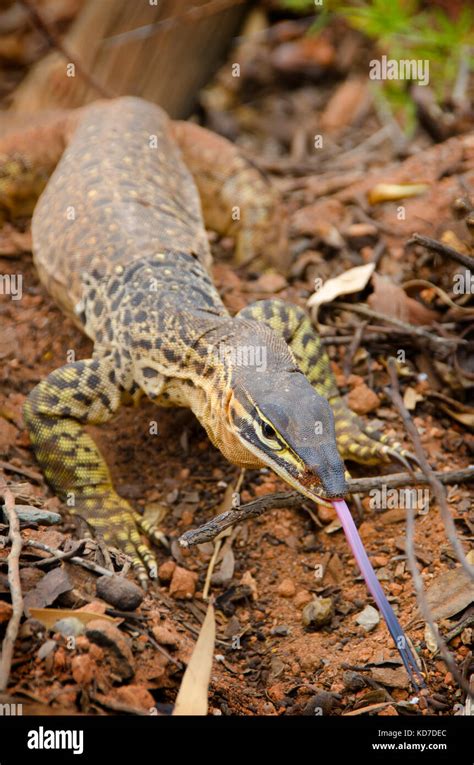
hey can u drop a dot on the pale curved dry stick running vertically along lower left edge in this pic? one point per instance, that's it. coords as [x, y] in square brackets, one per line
[15, 589]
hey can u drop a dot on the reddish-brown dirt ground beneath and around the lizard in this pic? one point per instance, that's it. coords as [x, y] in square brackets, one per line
[267, 661]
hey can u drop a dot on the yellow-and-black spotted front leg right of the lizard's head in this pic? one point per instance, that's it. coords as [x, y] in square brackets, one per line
[355, 440]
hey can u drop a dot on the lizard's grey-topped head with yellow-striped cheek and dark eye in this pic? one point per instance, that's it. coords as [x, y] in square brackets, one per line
[277, 416]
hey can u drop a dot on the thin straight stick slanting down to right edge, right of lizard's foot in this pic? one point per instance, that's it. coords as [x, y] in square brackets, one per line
[435, 484]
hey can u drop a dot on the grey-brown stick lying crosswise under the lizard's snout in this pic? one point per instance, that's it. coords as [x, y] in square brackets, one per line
[210, 530]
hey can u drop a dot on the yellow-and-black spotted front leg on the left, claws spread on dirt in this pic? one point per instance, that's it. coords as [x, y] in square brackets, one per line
[55, 412]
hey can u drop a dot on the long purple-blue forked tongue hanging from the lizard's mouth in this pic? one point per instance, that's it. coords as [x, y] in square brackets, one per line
[377, 593]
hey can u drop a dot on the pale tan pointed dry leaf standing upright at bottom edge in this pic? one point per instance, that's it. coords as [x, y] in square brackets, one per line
[193, 694]
